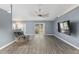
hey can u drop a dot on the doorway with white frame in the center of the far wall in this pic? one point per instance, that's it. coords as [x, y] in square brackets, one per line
[39, 28]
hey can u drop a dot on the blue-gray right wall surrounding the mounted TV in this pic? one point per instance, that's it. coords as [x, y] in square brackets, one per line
[73, 16]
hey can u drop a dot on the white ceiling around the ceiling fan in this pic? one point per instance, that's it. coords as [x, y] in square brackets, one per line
[23, 12]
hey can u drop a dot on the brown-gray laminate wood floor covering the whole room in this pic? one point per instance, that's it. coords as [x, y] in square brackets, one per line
[40, 45]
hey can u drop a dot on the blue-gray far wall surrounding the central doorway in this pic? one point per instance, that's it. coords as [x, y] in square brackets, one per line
[30, 26]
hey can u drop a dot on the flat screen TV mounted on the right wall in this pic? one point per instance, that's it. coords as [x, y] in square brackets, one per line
[64, 27]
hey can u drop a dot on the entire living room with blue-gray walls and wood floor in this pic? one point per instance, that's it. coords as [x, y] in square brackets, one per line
[49, 28]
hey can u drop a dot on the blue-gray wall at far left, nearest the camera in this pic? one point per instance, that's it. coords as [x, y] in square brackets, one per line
[5, 28]
